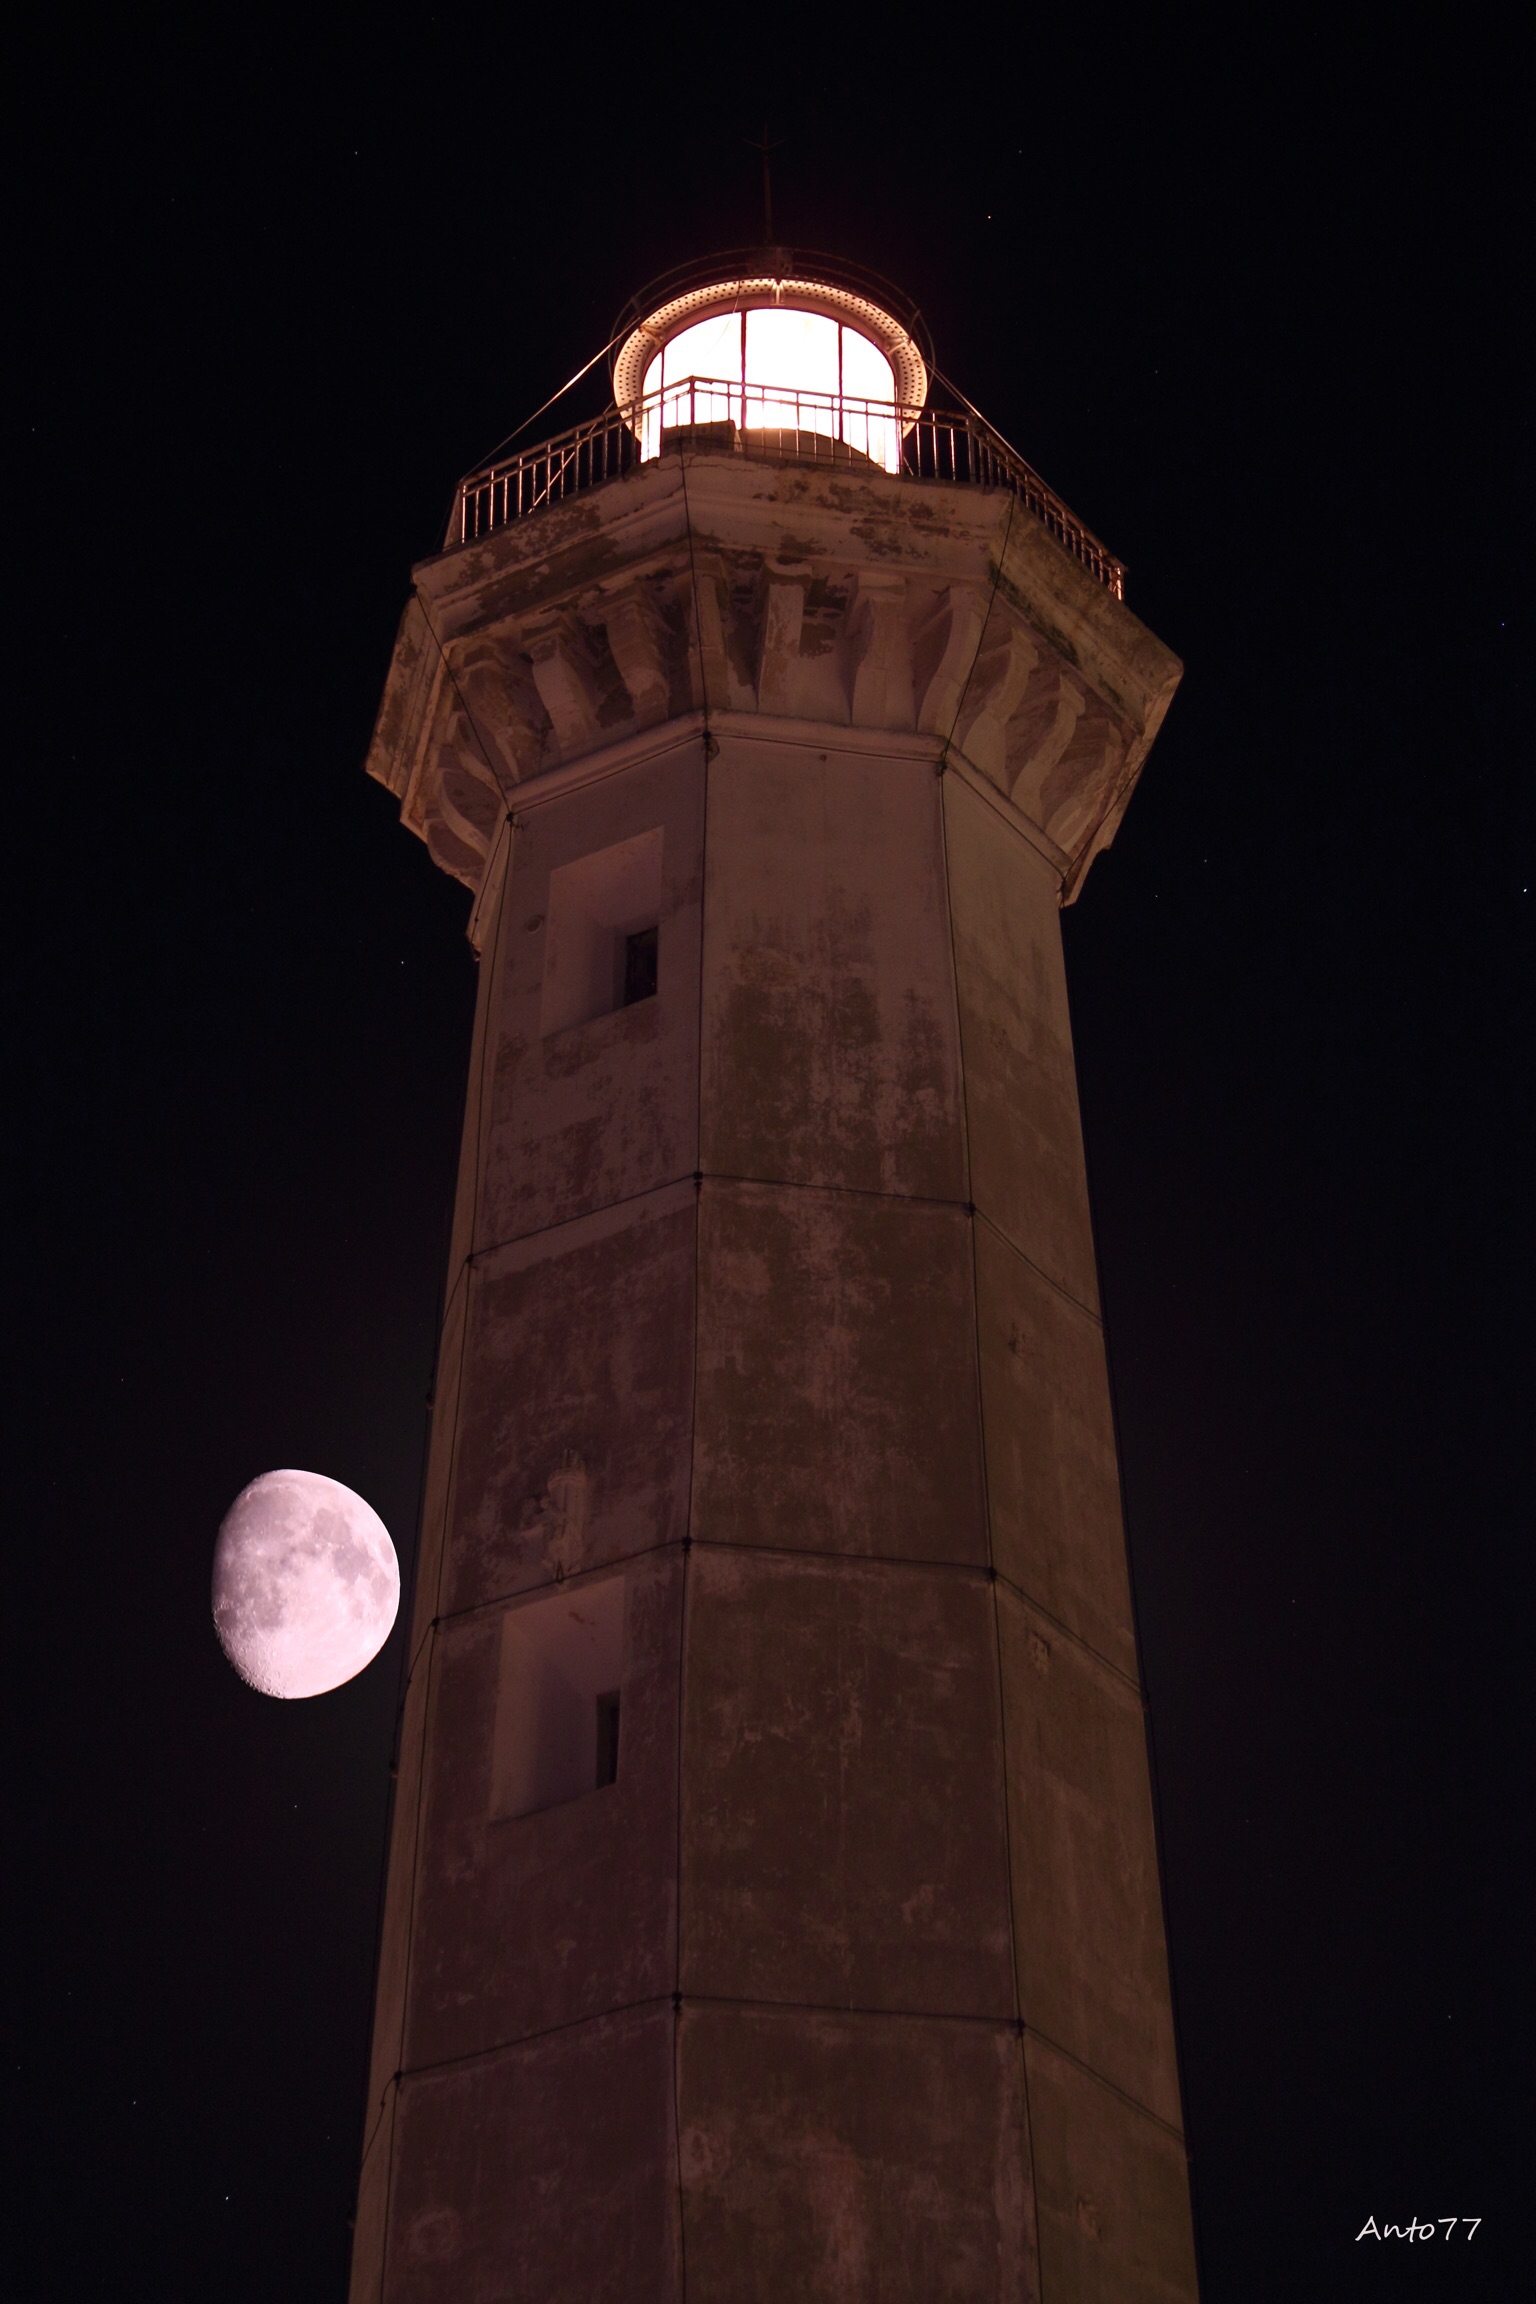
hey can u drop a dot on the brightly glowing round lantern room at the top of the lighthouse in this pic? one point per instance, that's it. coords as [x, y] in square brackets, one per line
[777, 344]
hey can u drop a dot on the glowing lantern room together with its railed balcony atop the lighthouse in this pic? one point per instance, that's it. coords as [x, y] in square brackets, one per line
[784, 370]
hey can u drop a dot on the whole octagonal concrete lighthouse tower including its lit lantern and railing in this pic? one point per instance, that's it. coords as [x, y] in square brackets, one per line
[775, 1907]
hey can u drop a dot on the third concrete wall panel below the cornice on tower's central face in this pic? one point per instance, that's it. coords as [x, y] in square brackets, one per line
[844, 1837]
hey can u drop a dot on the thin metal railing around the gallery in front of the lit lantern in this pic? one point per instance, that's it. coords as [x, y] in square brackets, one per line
[784, 427]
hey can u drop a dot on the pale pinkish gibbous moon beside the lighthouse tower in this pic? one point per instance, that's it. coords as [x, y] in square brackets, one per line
[305, 1584]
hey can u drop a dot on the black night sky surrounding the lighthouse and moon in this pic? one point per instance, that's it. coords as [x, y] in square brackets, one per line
[1249, 291]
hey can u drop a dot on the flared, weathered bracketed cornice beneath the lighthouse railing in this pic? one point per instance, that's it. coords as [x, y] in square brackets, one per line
[803, 602]
